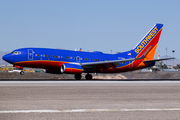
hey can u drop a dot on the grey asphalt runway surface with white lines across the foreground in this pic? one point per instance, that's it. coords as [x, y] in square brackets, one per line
[87, 100]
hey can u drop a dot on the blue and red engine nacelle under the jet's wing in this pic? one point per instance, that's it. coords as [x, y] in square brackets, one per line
[71, 68]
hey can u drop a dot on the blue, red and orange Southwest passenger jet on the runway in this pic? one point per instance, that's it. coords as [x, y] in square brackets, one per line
[76, 62]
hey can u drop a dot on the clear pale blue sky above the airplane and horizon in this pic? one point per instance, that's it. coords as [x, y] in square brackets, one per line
[94, 25]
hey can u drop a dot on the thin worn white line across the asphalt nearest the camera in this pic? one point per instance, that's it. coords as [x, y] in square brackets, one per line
[87, 110]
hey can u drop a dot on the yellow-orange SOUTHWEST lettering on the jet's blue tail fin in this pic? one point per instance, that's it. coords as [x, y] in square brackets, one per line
[140, 47]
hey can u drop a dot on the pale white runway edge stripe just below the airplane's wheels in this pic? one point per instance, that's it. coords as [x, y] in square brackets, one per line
[89, 83]
